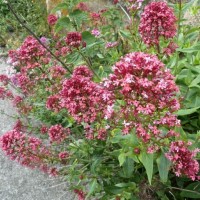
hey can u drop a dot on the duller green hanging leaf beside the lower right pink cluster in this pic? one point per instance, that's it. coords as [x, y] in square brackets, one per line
[163, 167]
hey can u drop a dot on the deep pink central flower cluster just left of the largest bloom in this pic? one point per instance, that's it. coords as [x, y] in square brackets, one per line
[84, 99]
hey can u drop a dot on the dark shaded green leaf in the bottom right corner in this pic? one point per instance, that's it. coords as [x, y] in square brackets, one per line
[192, 191]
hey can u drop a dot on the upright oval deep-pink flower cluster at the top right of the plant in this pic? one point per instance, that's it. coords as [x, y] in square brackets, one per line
[157, 20]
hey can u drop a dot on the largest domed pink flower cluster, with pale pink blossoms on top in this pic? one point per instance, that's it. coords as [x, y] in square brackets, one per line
[148, 91]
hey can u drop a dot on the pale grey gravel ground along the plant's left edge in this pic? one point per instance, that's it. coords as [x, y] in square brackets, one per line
[19, 183]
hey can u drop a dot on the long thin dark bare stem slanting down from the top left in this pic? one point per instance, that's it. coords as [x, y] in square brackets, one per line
[35, 36]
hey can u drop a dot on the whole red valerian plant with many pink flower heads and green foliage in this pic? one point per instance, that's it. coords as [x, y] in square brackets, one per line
[110, 130]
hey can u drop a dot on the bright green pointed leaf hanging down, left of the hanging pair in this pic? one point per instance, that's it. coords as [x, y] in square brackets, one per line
[147, 161]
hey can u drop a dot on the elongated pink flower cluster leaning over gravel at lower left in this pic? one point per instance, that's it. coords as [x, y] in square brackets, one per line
[28, 151]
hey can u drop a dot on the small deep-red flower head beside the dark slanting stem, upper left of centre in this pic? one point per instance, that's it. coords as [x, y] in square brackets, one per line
[74, 39]
